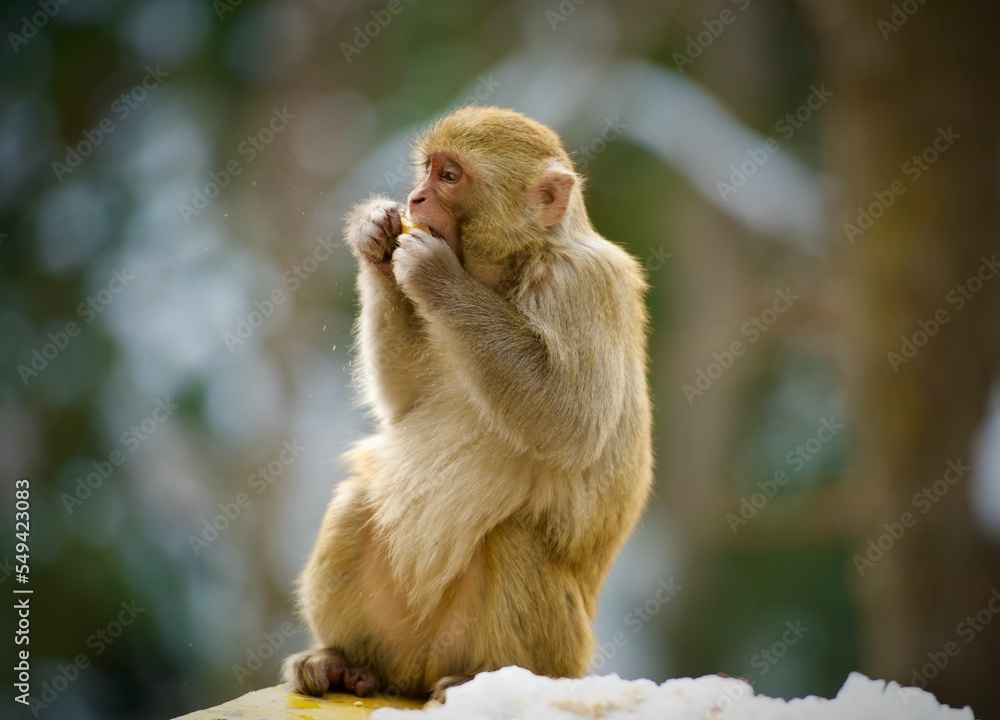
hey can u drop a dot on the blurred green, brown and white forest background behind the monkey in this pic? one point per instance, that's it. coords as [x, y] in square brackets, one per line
[810, 185]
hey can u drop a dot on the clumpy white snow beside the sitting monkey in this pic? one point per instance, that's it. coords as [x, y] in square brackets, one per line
[514, 693]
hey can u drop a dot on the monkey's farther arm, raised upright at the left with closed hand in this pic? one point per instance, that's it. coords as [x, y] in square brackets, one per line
[389, 333]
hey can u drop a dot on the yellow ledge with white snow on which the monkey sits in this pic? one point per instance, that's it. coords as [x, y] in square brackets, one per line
[513, 693]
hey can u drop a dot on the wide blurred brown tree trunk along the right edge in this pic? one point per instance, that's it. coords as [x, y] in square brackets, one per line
[899, 86]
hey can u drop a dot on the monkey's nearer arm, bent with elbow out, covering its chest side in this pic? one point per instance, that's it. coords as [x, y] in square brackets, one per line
[554, 378]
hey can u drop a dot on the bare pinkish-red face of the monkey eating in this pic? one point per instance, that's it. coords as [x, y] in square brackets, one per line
[441, 196]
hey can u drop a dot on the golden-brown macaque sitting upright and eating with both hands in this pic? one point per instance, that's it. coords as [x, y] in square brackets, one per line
[502, 349]
